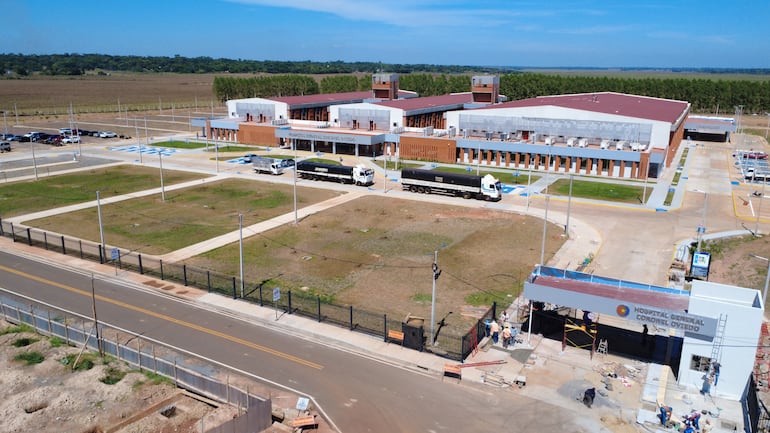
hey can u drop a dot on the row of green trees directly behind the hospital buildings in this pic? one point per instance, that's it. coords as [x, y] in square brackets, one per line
[705, 95]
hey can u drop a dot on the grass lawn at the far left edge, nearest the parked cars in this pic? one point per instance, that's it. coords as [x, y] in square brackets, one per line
[19, 198]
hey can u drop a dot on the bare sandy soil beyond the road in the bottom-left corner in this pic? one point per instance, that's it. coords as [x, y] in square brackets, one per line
[51, 397]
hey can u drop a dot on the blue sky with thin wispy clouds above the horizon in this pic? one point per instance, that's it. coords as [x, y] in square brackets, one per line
[546, 33]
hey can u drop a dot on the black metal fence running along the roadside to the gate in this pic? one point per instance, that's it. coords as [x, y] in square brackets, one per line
[292, 302]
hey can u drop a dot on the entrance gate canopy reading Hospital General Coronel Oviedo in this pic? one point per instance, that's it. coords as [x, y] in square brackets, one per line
[652, 305]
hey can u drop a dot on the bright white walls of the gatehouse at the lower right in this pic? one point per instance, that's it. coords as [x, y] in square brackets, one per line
[743, 310]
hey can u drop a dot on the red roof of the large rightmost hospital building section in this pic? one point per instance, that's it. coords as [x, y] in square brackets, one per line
[644, 107]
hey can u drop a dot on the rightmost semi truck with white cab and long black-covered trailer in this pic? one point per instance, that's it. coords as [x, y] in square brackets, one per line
[467, 186]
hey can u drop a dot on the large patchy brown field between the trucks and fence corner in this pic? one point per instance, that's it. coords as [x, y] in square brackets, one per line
[376, 254]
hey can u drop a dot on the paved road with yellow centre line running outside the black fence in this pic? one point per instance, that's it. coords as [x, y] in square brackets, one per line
[353, 390]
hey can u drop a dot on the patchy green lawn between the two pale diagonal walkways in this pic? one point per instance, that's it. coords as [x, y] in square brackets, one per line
[186, 217]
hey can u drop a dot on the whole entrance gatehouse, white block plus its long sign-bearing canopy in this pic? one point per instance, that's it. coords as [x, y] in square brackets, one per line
[707, 318]
